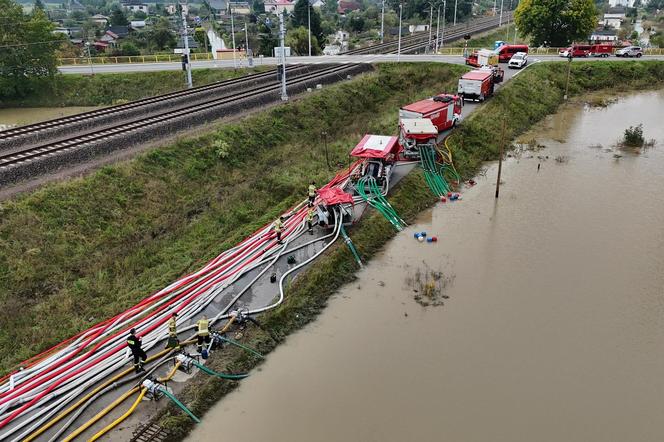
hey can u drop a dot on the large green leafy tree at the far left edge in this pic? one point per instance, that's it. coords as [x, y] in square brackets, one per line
[27, 50]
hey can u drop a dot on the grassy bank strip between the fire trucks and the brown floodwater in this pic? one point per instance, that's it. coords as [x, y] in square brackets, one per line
[533, 95]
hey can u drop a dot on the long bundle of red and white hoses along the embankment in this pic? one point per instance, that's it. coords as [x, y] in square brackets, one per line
[32, 399]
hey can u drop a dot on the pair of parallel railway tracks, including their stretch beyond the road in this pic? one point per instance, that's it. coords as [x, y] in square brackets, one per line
[39, 148]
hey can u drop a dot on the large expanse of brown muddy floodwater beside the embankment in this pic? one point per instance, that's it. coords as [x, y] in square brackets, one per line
[554, 325]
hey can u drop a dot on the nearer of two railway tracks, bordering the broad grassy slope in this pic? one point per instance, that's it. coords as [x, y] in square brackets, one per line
[15, 165]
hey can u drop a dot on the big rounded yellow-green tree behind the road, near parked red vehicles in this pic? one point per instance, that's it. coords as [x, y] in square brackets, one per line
[556, 22]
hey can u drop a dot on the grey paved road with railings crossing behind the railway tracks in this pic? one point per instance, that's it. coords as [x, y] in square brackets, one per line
[372, 58]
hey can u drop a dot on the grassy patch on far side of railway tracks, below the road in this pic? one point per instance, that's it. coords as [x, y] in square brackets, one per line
[107, 89]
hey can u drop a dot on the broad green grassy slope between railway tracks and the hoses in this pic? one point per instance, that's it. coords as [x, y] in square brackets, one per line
[74, 253]
